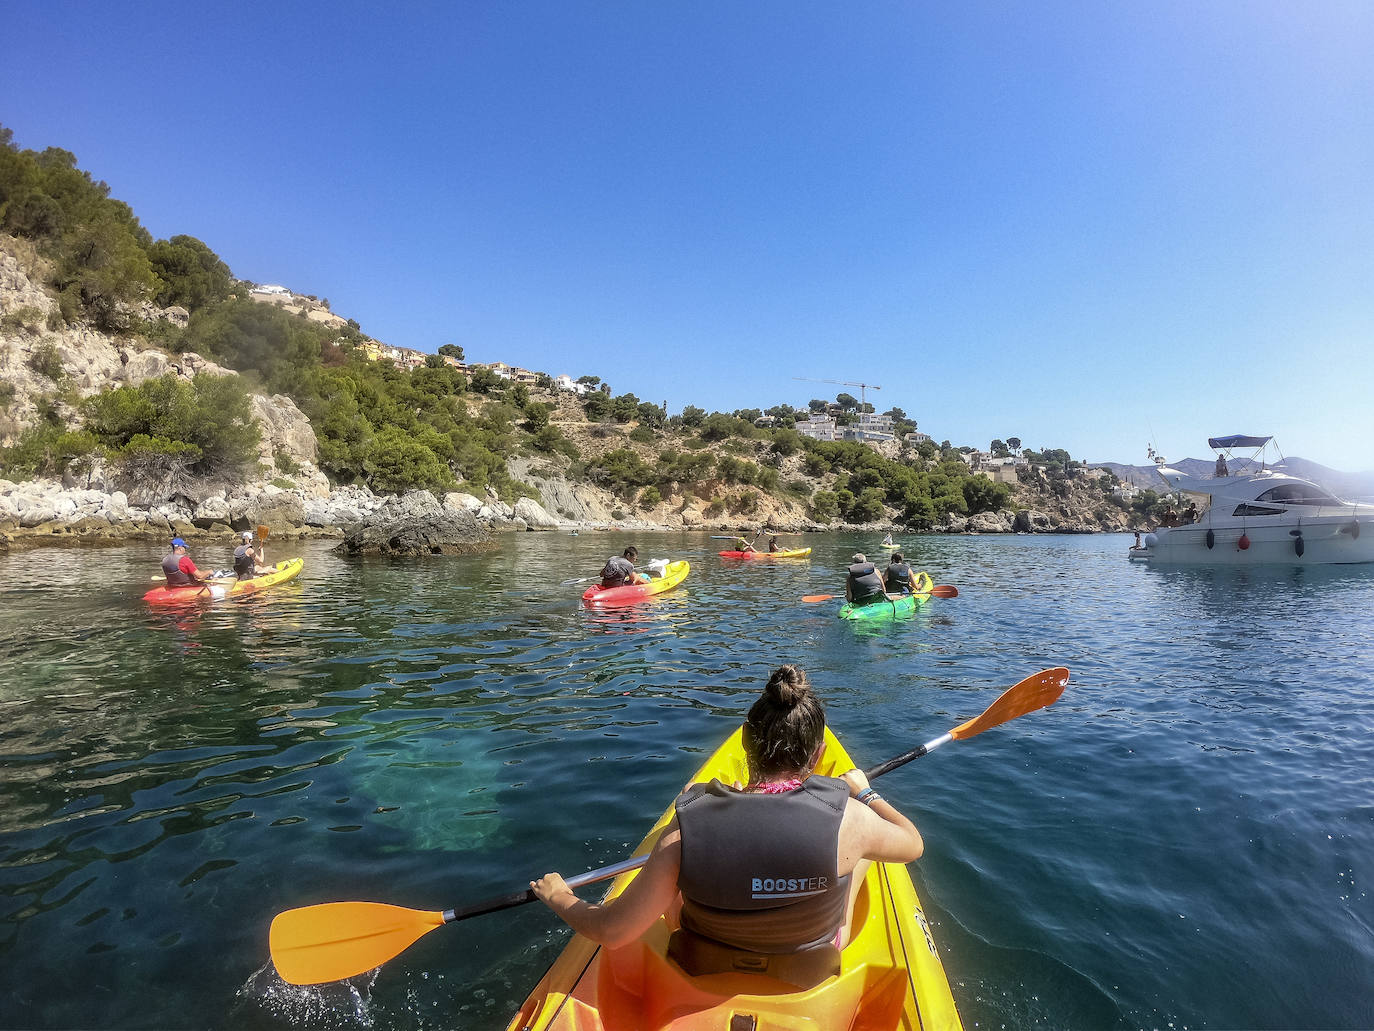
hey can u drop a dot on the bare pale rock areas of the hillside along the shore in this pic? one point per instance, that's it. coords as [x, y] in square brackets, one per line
[49, 366]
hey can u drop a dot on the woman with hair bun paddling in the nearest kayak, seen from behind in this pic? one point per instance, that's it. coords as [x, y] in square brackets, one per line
[717, 867]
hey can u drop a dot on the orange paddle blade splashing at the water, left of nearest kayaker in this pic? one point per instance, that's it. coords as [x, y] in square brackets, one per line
[343, 940]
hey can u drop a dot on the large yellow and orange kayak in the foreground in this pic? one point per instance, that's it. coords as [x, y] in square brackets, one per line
[890, 975]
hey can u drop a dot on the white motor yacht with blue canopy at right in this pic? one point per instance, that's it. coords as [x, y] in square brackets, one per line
[1251, 513]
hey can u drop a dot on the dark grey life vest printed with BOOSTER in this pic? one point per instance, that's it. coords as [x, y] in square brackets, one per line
[759, 872]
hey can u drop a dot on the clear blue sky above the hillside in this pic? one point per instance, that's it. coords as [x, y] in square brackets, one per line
[1089, 226]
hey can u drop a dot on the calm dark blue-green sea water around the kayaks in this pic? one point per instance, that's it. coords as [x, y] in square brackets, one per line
[1185, 841]
